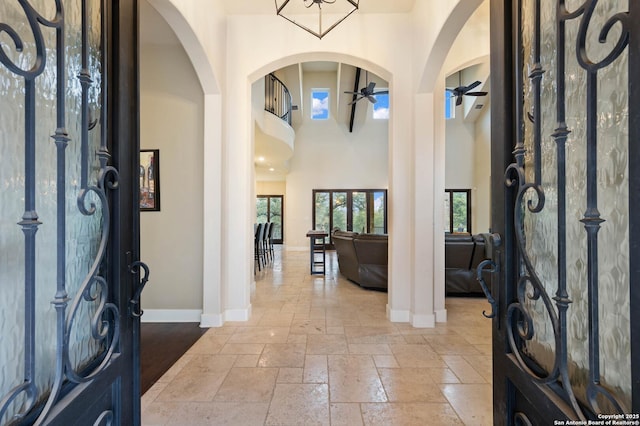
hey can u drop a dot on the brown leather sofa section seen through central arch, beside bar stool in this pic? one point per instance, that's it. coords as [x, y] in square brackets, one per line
[363, 258]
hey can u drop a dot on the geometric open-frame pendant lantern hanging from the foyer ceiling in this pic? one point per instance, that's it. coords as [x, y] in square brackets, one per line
[329, 13]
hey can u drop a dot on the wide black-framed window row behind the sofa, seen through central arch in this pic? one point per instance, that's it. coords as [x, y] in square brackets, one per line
[363, 211]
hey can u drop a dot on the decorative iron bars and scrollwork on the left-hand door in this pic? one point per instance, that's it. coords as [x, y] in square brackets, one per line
[103, 328]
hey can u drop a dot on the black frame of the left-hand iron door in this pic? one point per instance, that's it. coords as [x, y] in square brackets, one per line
[113, 395]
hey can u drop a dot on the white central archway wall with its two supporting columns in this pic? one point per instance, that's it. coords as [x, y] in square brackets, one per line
[389, 45]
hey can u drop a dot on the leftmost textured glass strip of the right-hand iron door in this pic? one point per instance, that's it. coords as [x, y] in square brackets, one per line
[540, 228]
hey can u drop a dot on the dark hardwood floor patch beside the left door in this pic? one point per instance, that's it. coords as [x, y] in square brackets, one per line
[161, 345]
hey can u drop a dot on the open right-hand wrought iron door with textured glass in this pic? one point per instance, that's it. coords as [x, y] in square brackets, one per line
[565, 184]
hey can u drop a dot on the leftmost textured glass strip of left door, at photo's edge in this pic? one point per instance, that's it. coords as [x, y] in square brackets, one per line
[11, 209]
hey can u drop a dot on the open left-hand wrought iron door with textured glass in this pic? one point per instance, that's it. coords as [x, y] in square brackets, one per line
[68, 212]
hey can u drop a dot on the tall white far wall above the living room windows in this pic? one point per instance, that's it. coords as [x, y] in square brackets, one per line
[328, 156]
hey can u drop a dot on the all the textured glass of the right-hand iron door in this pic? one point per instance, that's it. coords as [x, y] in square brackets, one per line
[612, 177]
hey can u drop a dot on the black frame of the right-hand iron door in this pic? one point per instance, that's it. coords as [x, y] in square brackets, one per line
[542, 401]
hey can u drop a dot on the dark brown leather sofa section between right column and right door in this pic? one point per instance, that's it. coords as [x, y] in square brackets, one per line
[462, 255]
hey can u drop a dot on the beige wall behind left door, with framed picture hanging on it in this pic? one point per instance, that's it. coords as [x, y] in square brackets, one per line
[171, 120]
